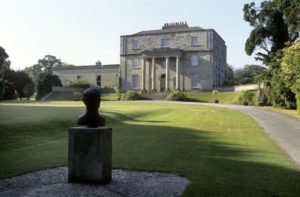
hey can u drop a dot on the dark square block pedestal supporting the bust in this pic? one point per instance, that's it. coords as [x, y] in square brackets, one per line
[90, 154]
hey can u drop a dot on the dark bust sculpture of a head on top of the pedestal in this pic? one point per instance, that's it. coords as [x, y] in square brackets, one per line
[91, 118]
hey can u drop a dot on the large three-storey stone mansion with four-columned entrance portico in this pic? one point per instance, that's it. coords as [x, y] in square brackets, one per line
[175, 57]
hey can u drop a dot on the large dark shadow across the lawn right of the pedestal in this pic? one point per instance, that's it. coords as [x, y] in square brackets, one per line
[215, 168]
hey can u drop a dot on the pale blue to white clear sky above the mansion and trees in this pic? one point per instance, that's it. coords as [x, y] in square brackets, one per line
[80, 32]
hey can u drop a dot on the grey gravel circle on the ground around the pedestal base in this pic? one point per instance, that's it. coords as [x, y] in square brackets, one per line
[54, 182]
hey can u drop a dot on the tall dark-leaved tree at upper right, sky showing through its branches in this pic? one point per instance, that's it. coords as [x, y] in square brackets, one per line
[273, 25]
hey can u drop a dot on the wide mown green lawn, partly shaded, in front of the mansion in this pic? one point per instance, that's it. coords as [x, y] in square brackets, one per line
[222, 152]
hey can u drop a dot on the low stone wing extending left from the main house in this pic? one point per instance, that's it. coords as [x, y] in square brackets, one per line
[101, 75]
